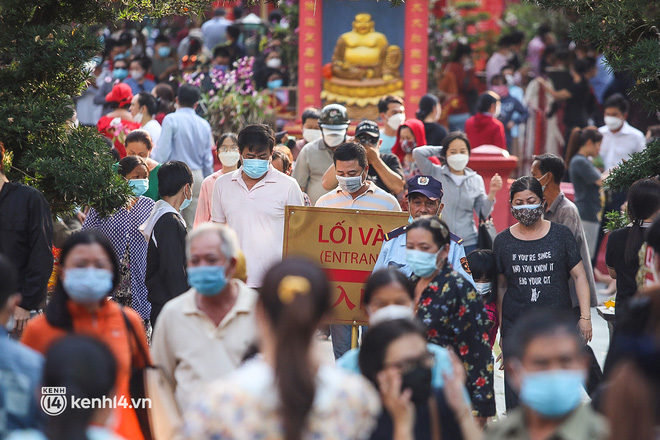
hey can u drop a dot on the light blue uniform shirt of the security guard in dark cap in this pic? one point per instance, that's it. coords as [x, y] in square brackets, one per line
[393, 254]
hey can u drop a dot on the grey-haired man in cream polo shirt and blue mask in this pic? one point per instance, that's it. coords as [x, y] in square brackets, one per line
[203, 334]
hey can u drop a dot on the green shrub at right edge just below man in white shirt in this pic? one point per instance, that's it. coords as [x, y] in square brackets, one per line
[640, 165]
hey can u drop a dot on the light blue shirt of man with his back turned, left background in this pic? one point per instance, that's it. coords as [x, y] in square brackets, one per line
[188, 138]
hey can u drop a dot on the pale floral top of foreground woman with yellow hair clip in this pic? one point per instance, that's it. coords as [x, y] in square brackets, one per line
[245, 405]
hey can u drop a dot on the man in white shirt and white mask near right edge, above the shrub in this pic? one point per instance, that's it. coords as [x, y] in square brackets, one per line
[620, 139]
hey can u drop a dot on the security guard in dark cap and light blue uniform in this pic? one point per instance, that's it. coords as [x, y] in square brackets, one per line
[424, 198]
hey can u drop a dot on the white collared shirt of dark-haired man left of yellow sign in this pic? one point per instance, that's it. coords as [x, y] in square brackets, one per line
[257, 216]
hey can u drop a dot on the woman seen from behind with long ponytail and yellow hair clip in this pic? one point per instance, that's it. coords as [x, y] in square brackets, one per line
[287, 393]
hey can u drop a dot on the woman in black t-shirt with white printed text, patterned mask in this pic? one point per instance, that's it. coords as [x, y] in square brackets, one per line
[535, 259]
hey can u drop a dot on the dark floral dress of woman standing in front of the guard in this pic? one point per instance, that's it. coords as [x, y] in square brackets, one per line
[454, 316]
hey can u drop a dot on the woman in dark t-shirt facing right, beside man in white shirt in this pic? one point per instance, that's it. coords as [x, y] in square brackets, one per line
[583, 145]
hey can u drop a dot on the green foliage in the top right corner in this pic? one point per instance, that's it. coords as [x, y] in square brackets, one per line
[627, 32]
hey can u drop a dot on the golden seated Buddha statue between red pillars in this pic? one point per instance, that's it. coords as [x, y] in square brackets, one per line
[364, 66]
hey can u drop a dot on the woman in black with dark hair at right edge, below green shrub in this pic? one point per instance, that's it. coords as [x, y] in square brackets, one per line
[623, 245]
